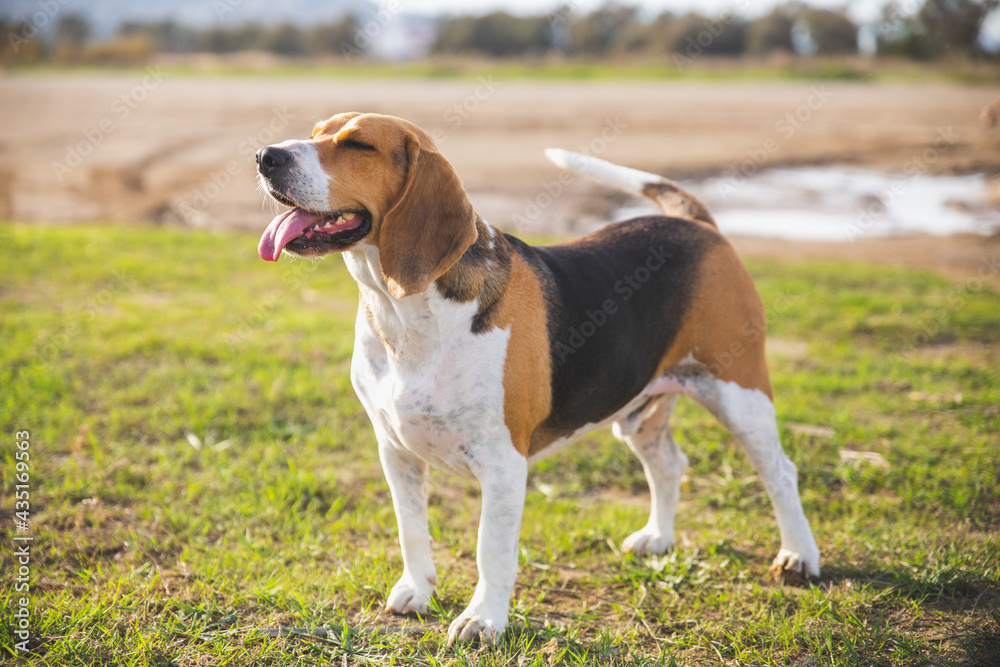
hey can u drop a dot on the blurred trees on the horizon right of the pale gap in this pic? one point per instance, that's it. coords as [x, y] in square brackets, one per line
[938, 28]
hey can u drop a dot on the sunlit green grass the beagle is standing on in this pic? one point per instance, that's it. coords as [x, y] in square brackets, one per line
[123, 346]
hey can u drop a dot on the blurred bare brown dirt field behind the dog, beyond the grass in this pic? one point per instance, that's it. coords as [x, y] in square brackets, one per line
[179, 150]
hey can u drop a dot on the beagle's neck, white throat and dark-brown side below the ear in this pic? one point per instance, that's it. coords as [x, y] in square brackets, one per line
[469, 289]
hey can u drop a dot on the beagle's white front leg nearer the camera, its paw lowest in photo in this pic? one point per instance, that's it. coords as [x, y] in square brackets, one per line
[503, 485]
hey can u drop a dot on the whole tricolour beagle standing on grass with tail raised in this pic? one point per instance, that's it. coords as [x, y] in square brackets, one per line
[479, 354]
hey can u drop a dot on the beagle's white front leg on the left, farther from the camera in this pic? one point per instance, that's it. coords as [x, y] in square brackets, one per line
[407, 477]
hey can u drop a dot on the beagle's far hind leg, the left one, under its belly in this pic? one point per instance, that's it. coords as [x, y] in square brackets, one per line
[647, 433]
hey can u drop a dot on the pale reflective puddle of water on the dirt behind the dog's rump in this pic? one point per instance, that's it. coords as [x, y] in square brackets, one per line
[844, 204]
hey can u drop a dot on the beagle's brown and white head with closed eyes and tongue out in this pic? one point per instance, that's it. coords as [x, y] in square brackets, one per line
[368, 179]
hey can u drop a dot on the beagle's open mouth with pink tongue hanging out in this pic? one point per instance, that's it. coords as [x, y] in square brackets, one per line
[308, 233]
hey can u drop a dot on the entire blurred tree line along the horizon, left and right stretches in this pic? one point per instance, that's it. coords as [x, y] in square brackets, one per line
[938, 28]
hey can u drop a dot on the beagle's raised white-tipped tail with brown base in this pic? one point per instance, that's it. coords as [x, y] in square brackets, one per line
[672, 198]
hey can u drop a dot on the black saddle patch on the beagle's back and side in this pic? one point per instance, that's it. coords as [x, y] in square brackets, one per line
[616, 300]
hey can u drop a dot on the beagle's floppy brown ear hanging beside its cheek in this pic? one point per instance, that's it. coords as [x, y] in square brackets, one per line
[429, 228]
